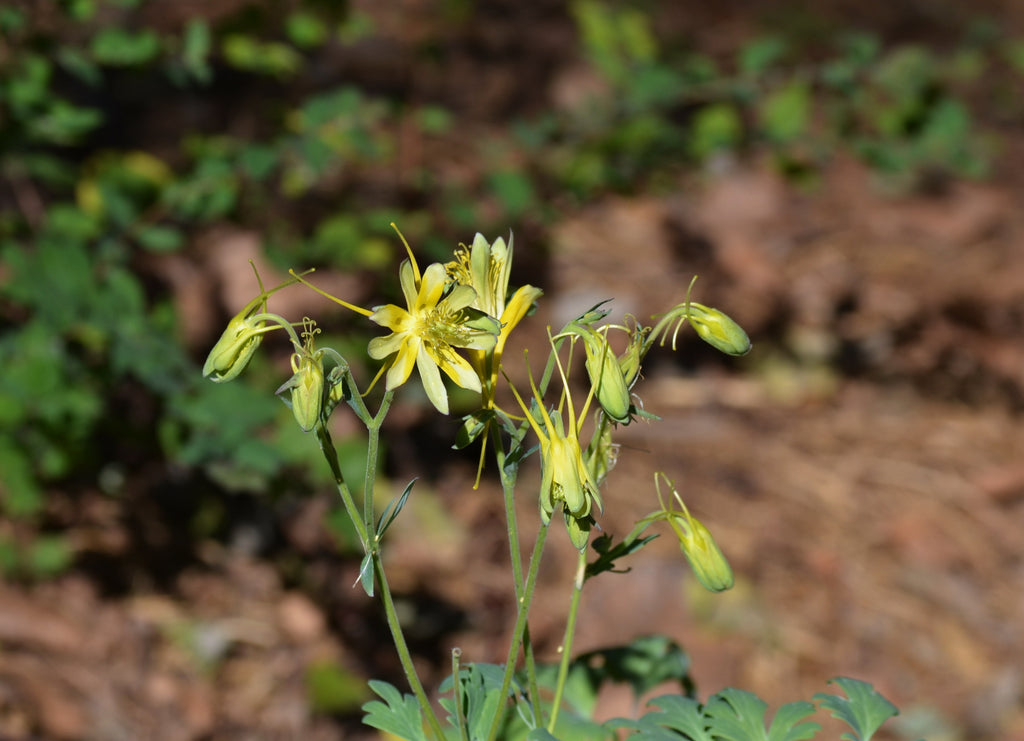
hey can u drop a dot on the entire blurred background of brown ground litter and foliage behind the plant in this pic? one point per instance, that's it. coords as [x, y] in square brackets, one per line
[844, 177]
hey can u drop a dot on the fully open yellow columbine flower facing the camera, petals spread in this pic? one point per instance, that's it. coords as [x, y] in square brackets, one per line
[438, 321]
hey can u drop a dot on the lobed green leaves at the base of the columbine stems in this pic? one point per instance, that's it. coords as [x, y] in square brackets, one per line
[728, 716]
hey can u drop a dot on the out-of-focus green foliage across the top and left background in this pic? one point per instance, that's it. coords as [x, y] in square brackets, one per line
[126, 133]
